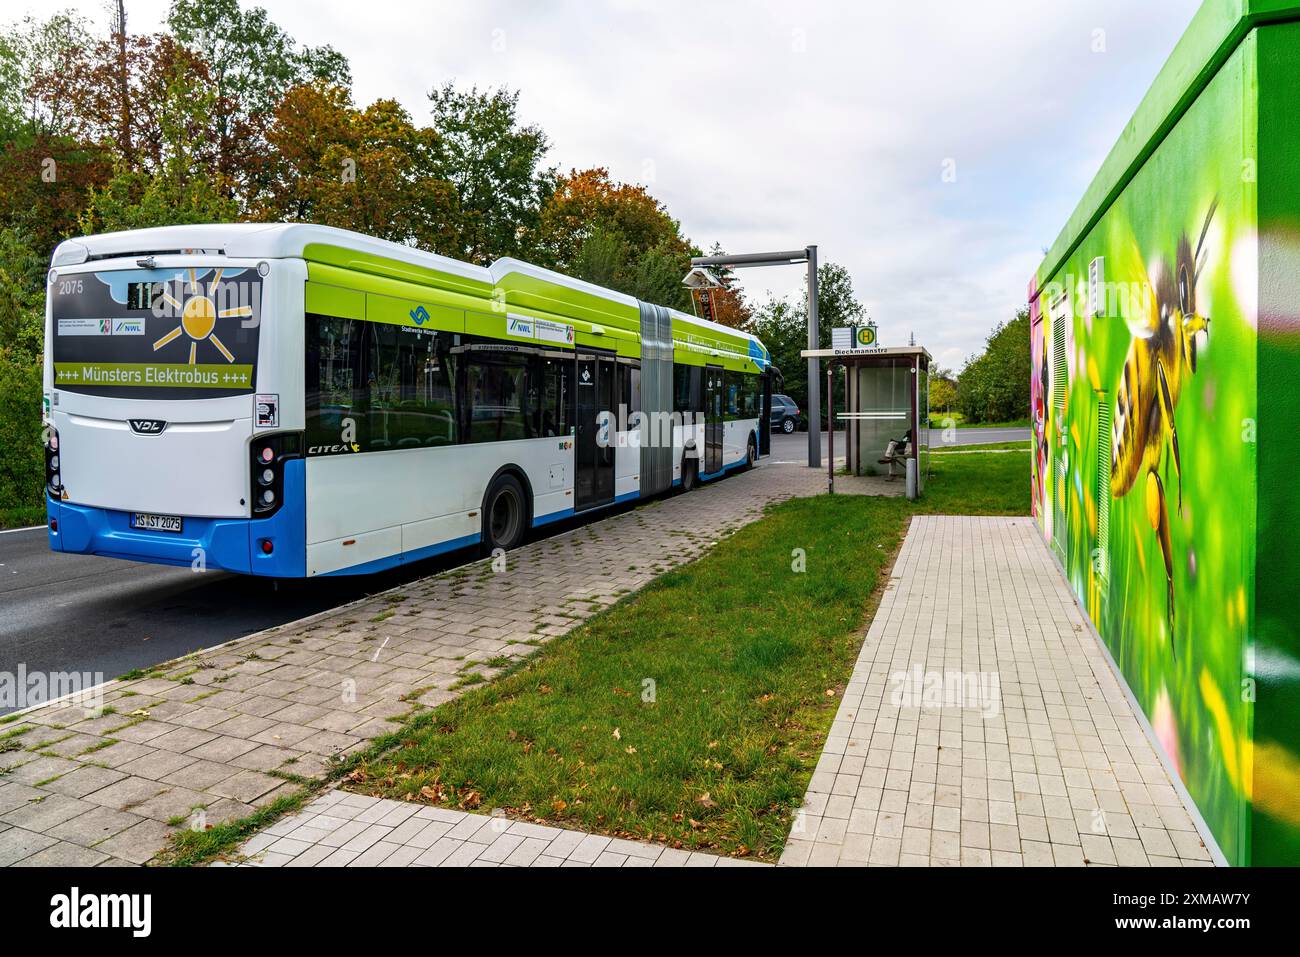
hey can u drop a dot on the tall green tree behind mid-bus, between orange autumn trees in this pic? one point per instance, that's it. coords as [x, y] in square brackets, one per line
[495, 168]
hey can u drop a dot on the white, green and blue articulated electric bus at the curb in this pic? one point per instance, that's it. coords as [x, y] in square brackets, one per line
[296, 401]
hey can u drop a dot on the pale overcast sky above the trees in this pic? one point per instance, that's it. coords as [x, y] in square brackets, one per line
[773, 125]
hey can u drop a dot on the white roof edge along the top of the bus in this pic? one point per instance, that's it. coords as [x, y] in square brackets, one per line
[291, 241]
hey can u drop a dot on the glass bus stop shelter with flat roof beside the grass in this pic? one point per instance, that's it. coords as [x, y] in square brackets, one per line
[885, 412]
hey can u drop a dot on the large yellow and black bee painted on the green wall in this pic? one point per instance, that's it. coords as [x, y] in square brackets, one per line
[1159, 361]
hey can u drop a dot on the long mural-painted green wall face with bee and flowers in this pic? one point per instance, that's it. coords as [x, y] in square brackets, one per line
[1181, 627]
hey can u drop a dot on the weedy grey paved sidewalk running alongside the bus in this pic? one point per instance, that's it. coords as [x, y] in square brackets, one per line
[226, 731]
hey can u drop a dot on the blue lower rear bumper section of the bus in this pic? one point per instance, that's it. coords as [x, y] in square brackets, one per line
[232, 545]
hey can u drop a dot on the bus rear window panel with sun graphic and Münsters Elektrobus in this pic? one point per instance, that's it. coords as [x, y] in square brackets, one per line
[174, 334]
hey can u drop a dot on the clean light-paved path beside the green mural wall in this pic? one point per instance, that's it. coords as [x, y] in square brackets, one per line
[1046, 767]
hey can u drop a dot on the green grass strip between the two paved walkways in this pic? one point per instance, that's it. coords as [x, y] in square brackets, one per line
[746, 657]
